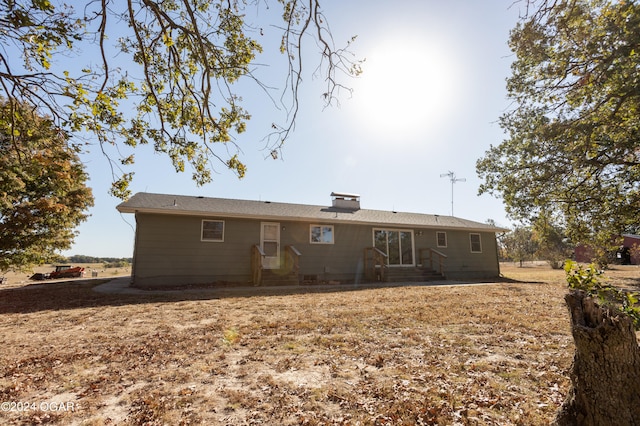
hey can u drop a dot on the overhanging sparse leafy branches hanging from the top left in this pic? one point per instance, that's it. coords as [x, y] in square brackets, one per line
[177, 91]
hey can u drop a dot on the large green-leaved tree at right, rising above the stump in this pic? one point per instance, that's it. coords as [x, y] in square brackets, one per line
[573, 145]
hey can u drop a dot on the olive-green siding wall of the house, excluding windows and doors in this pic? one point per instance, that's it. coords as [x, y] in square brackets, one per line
[169, 251]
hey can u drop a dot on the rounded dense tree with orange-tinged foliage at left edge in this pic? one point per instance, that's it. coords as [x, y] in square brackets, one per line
[43, 192]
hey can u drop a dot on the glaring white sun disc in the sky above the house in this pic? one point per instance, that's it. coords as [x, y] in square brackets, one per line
[406, 87]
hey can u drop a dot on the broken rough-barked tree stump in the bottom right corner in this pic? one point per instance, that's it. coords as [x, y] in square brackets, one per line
[605, 374]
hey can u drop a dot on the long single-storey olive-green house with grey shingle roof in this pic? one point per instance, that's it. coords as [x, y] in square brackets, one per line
[199, 240]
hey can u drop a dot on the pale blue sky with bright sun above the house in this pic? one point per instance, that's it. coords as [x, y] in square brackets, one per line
[428, 102]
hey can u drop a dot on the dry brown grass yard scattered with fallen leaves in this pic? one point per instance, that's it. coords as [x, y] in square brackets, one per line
[482, 354]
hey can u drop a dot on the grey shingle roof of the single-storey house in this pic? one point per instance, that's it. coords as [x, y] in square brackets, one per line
[222, 207]
